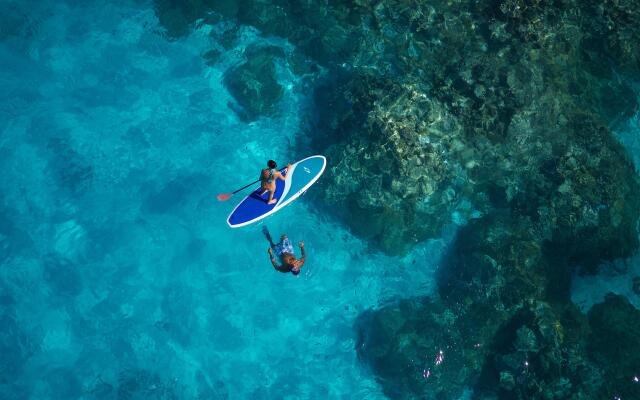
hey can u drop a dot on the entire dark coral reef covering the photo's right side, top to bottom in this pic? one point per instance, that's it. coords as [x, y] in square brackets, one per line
[499, 109]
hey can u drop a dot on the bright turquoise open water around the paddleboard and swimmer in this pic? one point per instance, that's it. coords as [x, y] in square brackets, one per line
[120, 277]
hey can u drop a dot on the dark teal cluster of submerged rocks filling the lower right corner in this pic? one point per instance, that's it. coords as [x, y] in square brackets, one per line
[501, 319]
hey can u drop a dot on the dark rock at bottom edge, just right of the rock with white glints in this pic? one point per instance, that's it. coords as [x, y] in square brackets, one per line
[539, 354]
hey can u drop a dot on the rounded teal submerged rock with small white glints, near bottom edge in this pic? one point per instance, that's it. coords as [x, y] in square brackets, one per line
[416, 349]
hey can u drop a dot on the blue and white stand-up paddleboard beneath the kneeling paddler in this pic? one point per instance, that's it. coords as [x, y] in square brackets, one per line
[298, 179]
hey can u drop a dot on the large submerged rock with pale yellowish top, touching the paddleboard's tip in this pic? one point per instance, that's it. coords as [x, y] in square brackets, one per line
[394, 156]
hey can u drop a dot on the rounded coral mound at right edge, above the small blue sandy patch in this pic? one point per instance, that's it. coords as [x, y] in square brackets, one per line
[565, 171]
